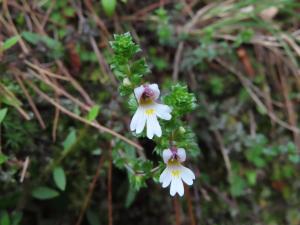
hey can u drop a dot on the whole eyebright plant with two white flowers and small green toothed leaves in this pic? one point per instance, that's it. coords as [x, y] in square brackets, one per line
[163, 119]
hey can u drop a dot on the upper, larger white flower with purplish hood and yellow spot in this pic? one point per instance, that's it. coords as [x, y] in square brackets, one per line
[148, 111]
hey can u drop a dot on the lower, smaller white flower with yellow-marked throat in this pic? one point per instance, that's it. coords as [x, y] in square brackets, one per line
[175, 173]
